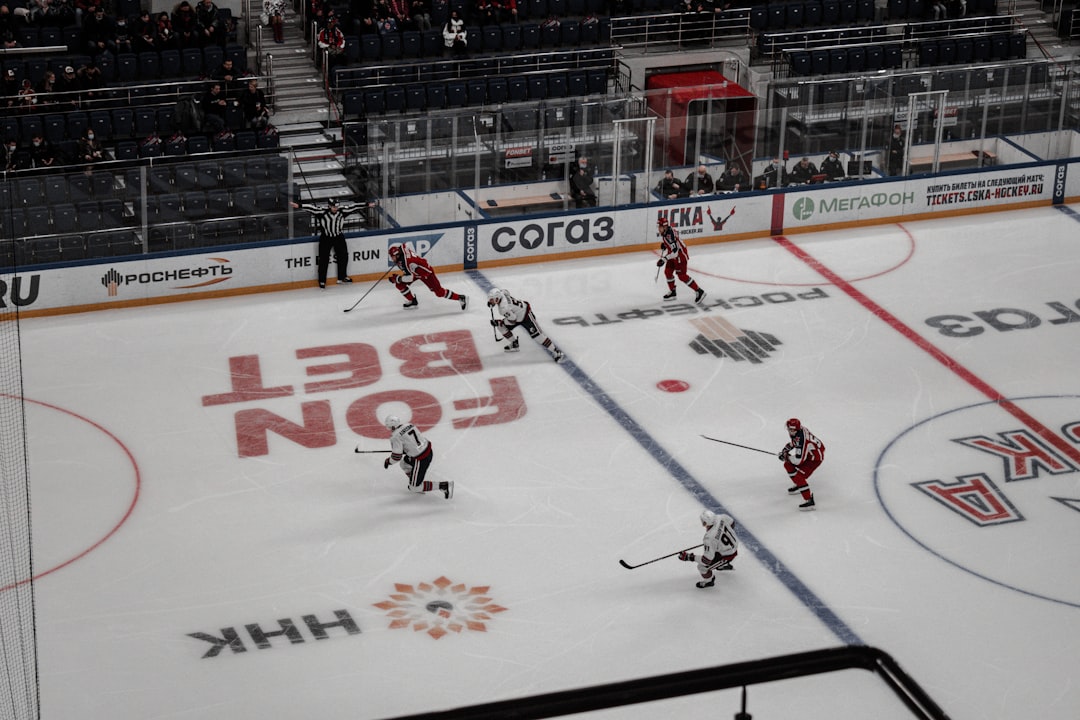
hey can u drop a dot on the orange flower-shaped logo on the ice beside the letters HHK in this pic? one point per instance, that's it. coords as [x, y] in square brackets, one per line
[440, 608]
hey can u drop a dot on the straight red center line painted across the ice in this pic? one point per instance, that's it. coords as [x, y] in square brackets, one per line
[1054, 439]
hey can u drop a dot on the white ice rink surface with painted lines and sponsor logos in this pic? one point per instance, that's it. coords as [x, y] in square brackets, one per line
[209, 545]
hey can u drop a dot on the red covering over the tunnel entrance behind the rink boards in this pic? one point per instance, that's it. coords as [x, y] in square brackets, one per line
[687, 88]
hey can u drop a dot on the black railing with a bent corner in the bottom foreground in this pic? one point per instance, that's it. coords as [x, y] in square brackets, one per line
[723, 677]
